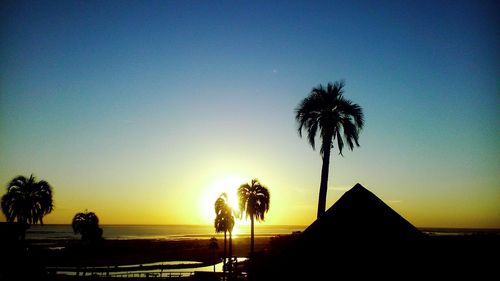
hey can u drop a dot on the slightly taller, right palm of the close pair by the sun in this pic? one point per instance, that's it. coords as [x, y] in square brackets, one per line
[254, 201]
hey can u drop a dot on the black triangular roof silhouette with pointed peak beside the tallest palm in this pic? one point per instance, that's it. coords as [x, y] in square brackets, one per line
[361, 214]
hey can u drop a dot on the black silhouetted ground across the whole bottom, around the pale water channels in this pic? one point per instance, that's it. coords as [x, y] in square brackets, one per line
[474, 257]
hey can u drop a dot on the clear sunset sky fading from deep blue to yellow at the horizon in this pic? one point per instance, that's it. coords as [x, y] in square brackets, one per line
[145, 111]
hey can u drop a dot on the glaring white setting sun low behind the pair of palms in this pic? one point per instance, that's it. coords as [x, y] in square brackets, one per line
[228, 184]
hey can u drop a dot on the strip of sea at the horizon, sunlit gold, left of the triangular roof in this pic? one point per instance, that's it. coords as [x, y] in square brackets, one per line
[158, 231]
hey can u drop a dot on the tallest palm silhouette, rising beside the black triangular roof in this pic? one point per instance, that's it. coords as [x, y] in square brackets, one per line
[337, 118]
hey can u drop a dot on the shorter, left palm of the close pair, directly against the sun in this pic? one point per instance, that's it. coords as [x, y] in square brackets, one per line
[224, 222]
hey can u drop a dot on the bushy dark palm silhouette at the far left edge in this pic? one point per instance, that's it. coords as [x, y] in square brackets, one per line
[27, 201]
